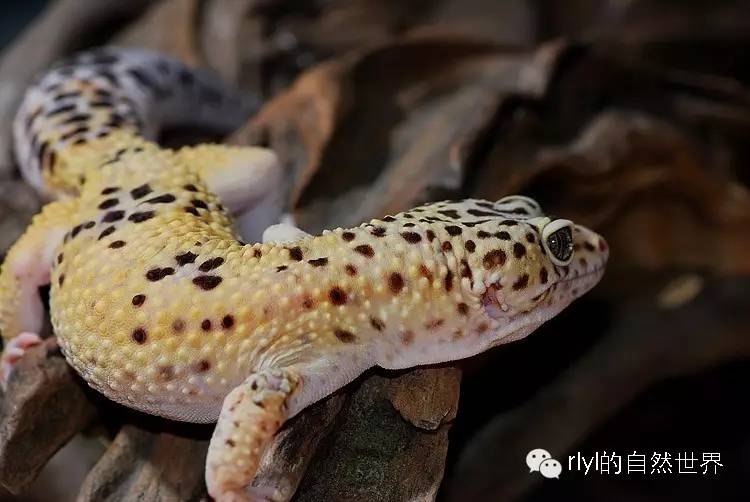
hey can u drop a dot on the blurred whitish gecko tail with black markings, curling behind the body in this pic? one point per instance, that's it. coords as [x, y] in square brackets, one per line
[92, 94]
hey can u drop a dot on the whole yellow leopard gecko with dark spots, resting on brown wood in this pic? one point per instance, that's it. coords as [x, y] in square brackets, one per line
[158, 304]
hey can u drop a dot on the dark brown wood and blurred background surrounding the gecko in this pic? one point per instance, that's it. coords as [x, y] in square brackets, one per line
[629, 116]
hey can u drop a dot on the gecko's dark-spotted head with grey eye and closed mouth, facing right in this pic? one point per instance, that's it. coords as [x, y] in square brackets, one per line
[539, 265]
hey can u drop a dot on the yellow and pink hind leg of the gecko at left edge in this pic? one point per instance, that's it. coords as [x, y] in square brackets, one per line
[26, 268]
